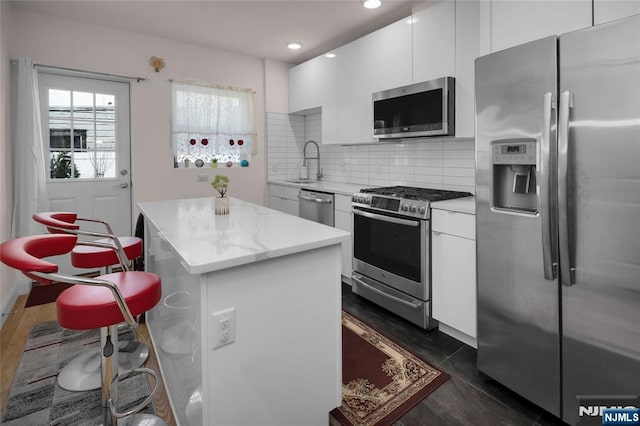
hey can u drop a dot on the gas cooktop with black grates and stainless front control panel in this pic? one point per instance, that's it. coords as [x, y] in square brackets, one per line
[403, 200]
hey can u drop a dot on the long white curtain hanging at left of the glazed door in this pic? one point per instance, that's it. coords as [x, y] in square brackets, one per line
[29, 166]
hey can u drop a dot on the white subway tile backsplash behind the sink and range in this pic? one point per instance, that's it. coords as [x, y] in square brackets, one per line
[441, 163]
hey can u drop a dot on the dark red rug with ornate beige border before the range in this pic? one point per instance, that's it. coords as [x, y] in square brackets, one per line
[381, 380]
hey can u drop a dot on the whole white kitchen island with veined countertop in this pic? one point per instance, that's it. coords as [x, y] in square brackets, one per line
[249, 328]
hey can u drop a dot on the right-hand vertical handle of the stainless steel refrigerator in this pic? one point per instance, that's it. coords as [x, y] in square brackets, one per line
[567, 270]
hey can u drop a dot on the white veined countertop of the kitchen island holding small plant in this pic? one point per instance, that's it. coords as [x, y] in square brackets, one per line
[207, 242]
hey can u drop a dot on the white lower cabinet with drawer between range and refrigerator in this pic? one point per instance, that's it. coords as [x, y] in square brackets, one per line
[453, 272]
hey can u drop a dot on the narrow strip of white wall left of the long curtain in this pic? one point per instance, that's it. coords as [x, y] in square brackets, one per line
[7, 275]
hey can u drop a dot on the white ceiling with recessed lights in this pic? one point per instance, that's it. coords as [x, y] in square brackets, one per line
[259, 28]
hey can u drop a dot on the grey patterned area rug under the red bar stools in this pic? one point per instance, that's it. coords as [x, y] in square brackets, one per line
[36, 399]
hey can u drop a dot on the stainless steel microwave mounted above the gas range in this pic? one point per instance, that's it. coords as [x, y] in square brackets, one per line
[420, 109]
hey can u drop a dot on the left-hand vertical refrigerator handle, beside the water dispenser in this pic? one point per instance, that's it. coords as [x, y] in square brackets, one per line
[549, 252]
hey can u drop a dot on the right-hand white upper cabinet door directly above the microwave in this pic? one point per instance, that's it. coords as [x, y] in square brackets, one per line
[434, 32]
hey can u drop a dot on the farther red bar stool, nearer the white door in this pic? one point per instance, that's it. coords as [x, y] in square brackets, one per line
[83, 372]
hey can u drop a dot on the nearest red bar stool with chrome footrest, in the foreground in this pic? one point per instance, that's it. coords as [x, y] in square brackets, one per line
[101, 302]
